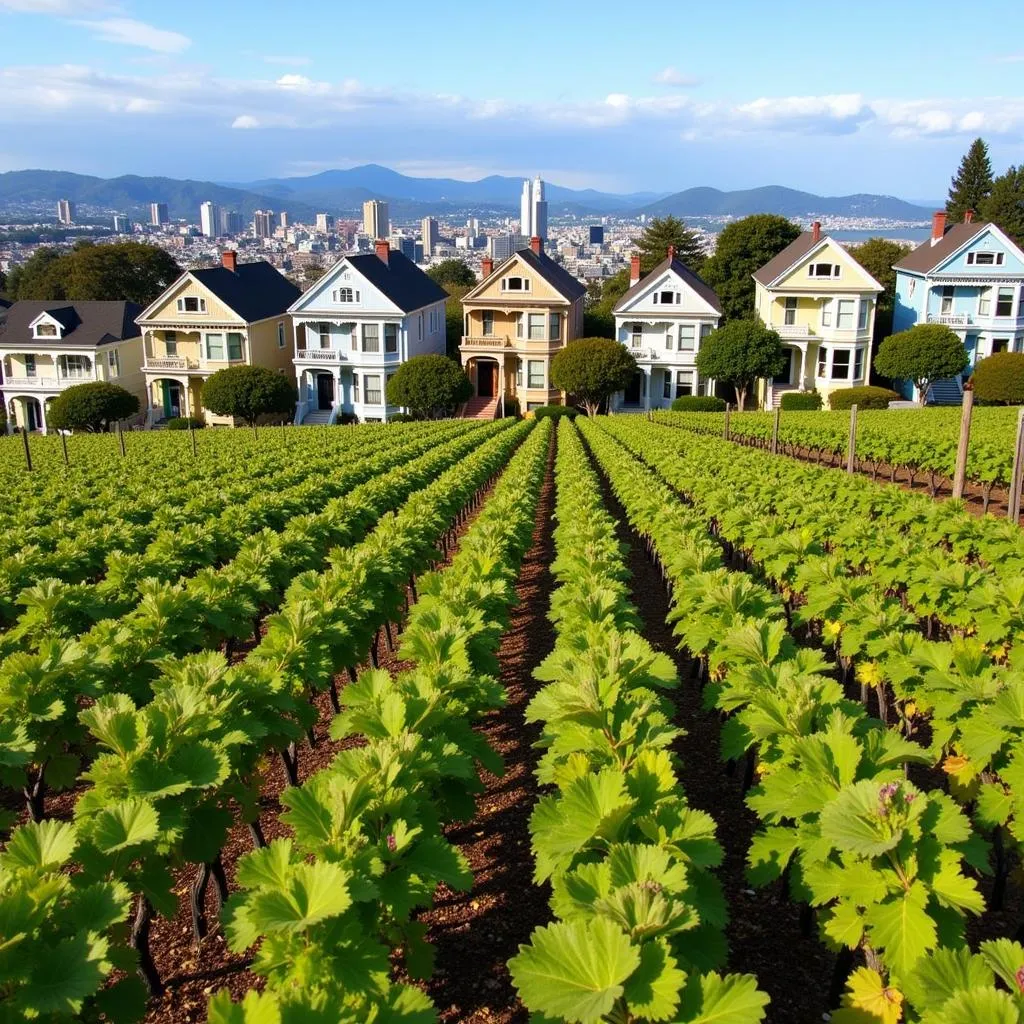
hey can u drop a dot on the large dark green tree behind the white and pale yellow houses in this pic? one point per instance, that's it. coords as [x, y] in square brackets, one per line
[745, 246]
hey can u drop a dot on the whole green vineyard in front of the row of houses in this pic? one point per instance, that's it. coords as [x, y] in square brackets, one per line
[612, 720]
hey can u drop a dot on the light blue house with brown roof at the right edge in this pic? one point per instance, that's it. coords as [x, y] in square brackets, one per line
[971, 278]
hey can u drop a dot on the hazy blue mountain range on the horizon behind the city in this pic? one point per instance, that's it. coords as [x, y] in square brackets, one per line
[344, 192]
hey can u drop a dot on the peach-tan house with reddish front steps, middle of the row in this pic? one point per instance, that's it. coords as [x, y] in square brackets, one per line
[517, 319]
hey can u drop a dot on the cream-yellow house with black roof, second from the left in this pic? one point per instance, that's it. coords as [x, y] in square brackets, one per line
[230, 316]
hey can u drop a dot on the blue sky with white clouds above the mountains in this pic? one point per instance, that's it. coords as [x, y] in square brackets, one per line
[652, 96]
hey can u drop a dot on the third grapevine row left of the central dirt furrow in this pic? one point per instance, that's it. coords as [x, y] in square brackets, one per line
[40, 694]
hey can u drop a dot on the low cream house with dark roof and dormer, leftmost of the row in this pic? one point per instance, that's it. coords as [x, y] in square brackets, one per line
[48, 347]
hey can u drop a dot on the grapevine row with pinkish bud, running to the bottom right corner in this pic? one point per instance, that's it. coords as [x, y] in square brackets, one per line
[883, 861]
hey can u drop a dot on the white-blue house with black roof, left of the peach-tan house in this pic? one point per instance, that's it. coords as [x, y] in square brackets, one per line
[366, 317]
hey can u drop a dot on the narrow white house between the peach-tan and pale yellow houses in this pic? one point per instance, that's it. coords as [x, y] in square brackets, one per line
[663, 320]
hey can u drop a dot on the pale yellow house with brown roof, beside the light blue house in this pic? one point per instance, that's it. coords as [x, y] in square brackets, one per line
[822, 303]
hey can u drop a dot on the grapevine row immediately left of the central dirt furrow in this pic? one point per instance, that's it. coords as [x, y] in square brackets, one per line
[369, 846]
